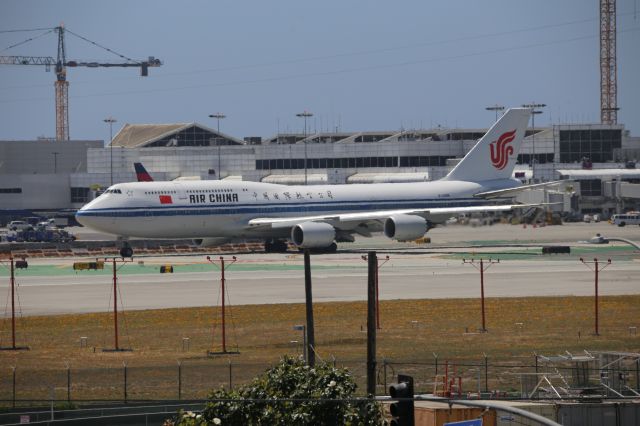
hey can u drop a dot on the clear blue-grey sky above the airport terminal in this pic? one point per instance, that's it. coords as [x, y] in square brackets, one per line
[357, 65]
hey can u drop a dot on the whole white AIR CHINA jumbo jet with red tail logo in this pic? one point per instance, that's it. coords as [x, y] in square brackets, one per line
[213, 212]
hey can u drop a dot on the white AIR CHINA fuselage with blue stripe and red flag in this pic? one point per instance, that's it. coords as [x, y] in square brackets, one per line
[210, 209]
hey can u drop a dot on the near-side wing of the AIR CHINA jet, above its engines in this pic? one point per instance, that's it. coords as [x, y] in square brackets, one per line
[350, 220]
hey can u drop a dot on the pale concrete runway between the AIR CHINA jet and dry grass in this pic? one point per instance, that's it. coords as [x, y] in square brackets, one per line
[51, 287]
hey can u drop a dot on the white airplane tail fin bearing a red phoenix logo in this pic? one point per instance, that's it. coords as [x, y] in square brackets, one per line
[495, 154]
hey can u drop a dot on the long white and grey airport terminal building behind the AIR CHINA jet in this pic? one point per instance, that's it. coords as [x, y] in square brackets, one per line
[48, 175]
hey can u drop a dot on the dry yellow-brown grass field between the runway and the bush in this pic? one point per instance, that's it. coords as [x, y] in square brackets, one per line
[411, 333]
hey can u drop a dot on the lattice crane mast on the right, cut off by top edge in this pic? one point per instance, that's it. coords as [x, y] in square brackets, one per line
[608, 66]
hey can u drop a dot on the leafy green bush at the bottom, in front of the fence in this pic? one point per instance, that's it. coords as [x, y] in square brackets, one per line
[291, 393]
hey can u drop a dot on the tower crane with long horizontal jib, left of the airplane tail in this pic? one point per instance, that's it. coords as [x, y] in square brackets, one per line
[61, 64]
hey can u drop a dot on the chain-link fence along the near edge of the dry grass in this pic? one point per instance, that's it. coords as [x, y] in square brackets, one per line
[193, 379]
